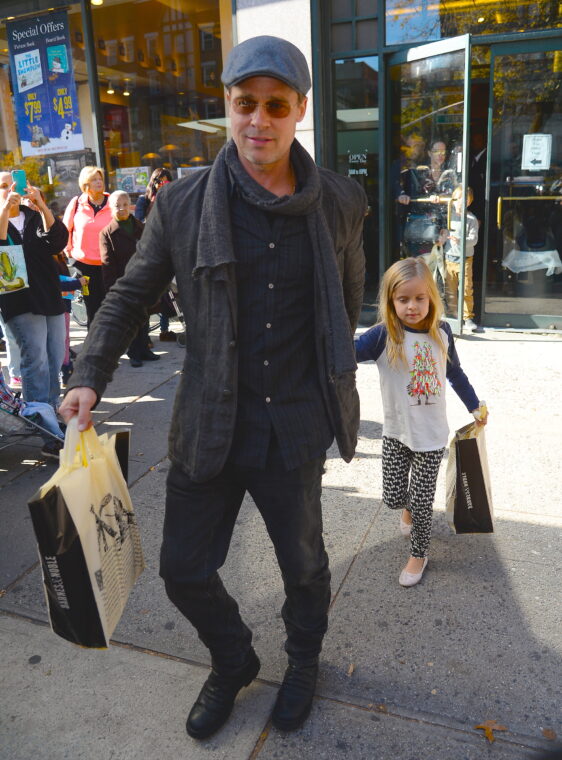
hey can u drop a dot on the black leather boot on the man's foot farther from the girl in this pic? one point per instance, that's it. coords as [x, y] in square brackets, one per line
[216, 699]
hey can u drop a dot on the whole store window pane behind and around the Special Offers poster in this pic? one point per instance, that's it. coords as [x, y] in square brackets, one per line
[46, 117]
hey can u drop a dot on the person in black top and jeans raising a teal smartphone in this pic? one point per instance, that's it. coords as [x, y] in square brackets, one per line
[35, 315]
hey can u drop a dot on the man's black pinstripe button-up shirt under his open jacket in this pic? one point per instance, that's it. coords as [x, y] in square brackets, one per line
[279, 391]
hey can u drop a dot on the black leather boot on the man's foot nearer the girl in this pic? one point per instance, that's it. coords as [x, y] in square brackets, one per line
[294, 699]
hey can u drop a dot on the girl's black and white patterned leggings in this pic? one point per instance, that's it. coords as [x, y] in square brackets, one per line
[417, 495]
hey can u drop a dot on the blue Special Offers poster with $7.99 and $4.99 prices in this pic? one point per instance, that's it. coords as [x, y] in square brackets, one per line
[43, 83]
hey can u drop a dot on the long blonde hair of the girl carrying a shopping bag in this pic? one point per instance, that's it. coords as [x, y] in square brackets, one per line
[400, 272]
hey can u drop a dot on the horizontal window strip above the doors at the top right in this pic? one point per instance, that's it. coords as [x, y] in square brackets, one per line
[423, 21]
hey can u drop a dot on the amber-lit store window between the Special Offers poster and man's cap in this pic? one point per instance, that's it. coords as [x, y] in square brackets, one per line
[161, 96]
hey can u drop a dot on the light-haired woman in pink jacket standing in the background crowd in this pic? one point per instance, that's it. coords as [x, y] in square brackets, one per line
[85, 216]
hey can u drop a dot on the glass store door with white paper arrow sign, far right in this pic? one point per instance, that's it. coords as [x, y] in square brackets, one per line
[524, 176]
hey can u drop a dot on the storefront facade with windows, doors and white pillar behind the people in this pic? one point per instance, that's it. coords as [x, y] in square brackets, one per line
[413, 99]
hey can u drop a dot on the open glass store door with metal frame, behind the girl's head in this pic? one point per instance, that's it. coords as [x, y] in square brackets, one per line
[428, 88]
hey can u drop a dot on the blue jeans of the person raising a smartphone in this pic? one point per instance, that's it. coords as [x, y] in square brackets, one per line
[30, 332]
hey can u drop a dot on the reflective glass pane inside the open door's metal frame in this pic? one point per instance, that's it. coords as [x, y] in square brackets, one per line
[427, 106]
